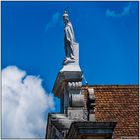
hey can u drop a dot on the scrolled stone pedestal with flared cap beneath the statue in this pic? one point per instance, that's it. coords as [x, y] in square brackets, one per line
[67, 87]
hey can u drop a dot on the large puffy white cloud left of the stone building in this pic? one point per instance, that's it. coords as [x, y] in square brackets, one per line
[24, 104]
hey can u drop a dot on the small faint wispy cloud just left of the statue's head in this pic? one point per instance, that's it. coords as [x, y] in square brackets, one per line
[53, 21]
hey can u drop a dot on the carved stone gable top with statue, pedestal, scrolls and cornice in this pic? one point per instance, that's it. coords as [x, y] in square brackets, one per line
[74, 120]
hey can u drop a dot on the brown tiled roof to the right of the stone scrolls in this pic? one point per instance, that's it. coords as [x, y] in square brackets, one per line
[118, 103]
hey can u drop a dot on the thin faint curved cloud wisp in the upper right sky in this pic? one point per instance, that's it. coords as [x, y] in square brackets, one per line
[126, 11]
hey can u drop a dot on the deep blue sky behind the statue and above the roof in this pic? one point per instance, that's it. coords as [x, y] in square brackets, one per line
[107, 32]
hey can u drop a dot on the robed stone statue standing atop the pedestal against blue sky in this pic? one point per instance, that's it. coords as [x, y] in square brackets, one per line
[69, 40]
